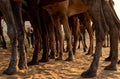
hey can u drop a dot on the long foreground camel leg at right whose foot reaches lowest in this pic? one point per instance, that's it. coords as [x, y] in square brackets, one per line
[91, 72]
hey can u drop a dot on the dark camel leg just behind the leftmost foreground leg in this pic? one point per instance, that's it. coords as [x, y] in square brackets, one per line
[20, 31]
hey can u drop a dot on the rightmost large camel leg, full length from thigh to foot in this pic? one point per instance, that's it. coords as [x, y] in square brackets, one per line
[112, 22]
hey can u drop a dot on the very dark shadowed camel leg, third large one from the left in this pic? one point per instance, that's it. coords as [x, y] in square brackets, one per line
[33, 13]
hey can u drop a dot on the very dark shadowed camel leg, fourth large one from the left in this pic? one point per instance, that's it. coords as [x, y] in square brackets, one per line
[45, 36]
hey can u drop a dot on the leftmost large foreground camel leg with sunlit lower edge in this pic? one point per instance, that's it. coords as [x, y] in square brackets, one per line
[9, 18]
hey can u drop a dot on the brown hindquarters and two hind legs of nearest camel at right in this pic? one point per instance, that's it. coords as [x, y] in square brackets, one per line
[104, 19]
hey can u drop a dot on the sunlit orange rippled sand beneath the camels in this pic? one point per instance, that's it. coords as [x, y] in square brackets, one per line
[59, 69]
